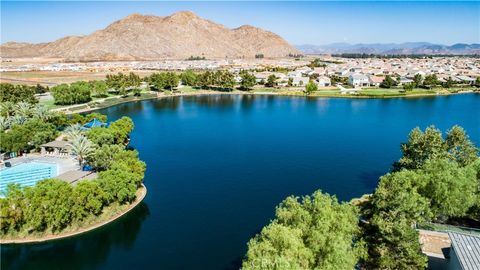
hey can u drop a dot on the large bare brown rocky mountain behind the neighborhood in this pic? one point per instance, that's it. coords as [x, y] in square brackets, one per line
[142, 37]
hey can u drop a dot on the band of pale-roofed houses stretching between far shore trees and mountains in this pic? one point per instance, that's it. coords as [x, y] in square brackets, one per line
[357, 73]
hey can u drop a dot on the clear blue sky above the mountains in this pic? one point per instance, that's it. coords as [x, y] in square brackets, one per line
[298, 22]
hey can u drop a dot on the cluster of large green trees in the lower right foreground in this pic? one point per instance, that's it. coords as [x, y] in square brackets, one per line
[436, 179]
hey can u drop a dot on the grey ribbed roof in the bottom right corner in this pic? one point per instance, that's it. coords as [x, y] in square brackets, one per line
[464, 252]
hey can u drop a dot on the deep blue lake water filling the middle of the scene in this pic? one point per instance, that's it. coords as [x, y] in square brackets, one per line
[218, 165]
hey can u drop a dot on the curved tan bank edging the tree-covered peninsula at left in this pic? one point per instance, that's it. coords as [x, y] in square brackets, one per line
[110, 214]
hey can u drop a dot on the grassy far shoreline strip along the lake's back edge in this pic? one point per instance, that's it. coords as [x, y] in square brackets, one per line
[368, 93]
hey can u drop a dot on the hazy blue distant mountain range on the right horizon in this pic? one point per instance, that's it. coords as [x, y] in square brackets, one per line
[391, 48]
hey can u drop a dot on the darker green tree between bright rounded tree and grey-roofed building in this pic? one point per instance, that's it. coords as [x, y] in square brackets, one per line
[392, 211]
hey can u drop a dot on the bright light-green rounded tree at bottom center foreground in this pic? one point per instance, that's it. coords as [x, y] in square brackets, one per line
[301, 236]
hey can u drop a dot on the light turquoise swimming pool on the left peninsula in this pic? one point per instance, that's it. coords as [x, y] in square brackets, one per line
[27, 174]
